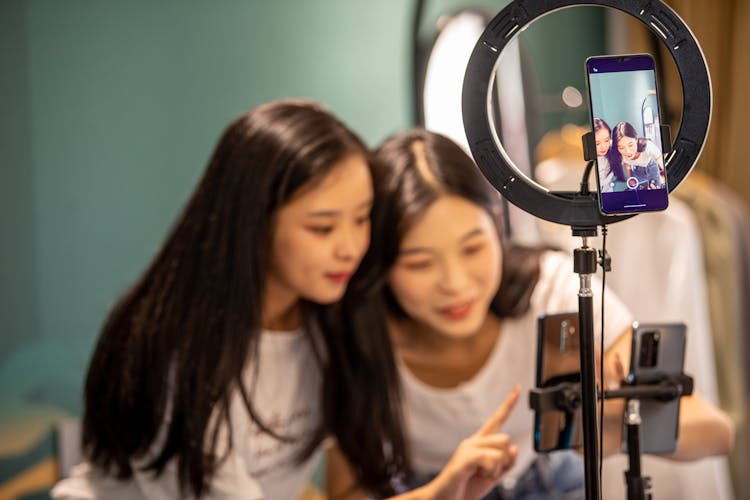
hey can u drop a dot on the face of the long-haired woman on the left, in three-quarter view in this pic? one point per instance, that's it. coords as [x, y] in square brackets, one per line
[321, 235]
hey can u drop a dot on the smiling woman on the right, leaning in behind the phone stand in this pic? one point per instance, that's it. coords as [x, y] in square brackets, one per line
[461, 309]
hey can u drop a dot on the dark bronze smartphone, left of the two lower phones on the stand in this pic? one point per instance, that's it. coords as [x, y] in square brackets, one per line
[558, 361]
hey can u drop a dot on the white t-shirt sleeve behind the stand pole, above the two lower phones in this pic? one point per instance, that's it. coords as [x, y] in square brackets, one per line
[557, 292]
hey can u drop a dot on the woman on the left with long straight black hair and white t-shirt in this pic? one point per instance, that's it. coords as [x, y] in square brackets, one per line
[221, 371]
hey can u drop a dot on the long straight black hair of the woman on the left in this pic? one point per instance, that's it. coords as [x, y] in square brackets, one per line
[174, 347]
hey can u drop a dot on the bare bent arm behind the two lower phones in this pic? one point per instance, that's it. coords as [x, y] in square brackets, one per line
[704, 429]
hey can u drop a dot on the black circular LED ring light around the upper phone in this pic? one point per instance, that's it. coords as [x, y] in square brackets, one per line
[570, 208]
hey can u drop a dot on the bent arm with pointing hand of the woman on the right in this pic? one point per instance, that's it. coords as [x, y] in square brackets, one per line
[476, 465]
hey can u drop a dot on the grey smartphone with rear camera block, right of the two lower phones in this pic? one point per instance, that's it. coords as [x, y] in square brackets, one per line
[657, 350]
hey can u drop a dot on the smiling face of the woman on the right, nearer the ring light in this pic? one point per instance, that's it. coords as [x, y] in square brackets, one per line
[448, 268]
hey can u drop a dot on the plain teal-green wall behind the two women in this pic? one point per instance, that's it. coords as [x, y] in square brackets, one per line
[108, 113]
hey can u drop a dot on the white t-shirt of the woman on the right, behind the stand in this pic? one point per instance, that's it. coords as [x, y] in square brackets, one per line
[438, 419]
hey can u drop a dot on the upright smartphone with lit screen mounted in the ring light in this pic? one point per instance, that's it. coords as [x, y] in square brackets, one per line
[626, 121]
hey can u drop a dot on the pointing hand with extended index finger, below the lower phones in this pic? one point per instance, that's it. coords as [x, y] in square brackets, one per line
[479, 461]
